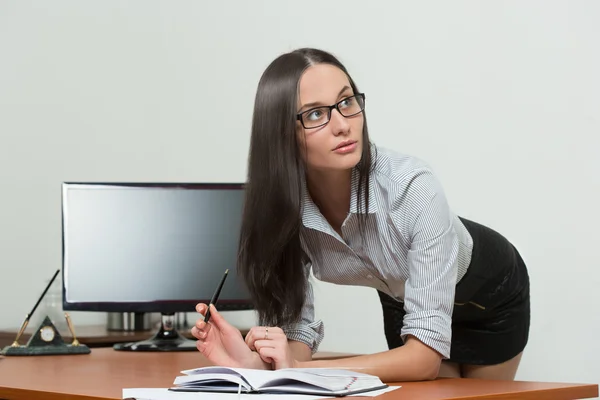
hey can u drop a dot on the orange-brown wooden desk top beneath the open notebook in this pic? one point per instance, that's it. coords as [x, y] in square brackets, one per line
[105, 372]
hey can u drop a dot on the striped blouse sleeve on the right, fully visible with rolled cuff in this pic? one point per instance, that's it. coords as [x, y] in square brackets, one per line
[432, 258]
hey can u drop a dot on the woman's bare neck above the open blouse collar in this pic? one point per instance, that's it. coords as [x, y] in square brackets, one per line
[330, 191]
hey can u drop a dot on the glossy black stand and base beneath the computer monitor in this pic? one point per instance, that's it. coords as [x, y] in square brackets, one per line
[166, 339]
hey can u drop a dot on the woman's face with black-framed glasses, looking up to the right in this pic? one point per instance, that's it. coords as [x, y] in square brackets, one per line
[334, 144]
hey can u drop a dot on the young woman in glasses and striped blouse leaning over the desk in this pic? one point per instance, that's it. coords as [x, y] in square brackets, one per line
[321, 196]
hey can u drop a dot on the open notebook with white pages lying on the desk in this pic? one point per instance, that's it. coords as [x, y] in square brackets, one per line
[315, 381]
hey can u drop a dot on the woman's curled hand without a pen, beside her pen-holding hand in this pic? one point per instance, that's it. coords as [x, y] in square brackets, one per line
[272, 345]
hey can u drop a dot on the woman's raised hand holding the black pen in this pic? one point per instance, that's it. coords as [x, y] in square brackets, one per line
[222, 343]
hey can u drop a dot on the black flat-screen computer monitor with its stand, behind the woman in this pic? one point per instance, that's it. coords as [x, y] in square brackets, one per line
[151, 247]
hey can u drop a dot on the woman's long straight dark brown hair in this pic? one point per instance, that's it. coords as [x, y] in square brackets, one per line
[271, 260]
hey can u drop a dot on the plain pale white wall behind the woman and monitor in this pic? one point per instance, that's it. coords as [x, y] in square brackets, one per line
[502, 98]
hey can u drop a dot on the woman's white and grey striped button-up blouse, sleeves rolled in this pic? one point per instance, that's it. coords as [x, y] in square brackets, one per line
[415, 250]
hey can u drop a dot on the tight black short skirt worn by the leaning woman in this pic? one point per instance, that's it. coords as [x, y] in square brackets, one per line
[491, 317]
